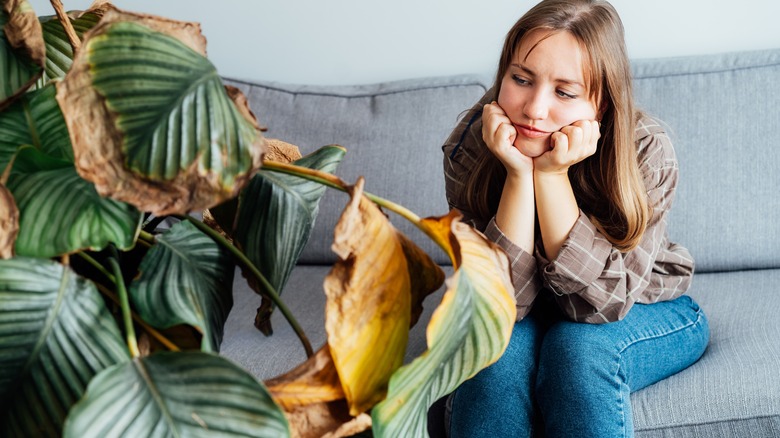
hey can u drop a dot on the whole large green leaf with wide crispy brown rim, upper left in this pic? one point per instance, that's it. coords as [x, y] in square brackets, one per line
[101, 147]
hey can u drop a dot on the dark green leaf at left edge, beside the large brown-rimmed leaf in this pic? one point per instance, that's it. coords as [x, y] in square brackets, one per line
[35, 119]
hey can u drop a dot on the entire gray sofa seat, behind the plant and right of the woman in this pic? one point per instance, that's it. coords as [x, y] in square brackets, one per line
[733, 390]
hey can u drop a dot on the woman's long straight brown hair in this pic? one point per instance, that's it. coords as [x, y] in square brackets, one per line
[608, 186]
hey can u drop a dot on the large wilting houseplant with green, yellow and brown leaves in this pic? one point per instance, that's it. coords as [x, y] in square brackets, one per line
[110, 319]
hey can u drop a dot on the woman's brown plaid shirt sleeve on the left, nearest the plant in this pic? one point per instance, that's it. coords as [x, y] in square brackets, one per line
[460, 157]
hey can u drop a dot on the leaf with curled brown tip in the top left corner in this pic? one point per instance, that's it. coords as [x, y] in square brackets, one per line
[25, 36]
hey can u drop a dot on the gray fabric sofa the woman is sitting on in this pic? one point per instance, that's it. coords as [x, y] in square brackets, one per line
[722, 113]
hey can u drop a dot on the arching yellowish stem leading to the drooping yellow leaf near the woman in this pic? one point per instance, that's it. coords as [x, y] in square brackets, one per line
[337, 183]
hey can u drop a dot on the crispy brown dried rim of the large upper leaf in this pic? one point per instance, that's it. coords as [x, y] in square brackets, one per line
[97, 142]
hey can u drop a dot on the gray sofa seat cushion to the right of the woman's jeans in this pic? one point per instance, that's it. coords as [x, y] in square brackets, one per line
[734, 389]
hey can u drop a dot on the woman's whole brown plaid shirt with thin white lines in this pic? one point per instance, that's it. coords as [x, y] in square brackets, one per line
[590, 279]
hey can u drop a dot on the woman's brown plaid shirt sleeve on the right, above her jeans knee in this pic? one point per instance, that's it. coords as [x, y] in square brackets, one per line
[594, 282]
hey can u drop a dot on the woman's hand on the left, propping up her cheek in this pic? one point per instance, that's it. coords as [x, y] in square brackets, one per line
[499, 134]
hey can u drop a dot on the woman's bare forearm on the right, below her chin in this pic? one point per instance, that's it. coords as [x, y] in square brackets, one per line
[557, 209]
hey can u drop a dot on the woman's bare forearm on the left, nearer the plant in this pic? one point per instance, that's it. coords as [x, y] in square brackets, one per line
[516, 214]
